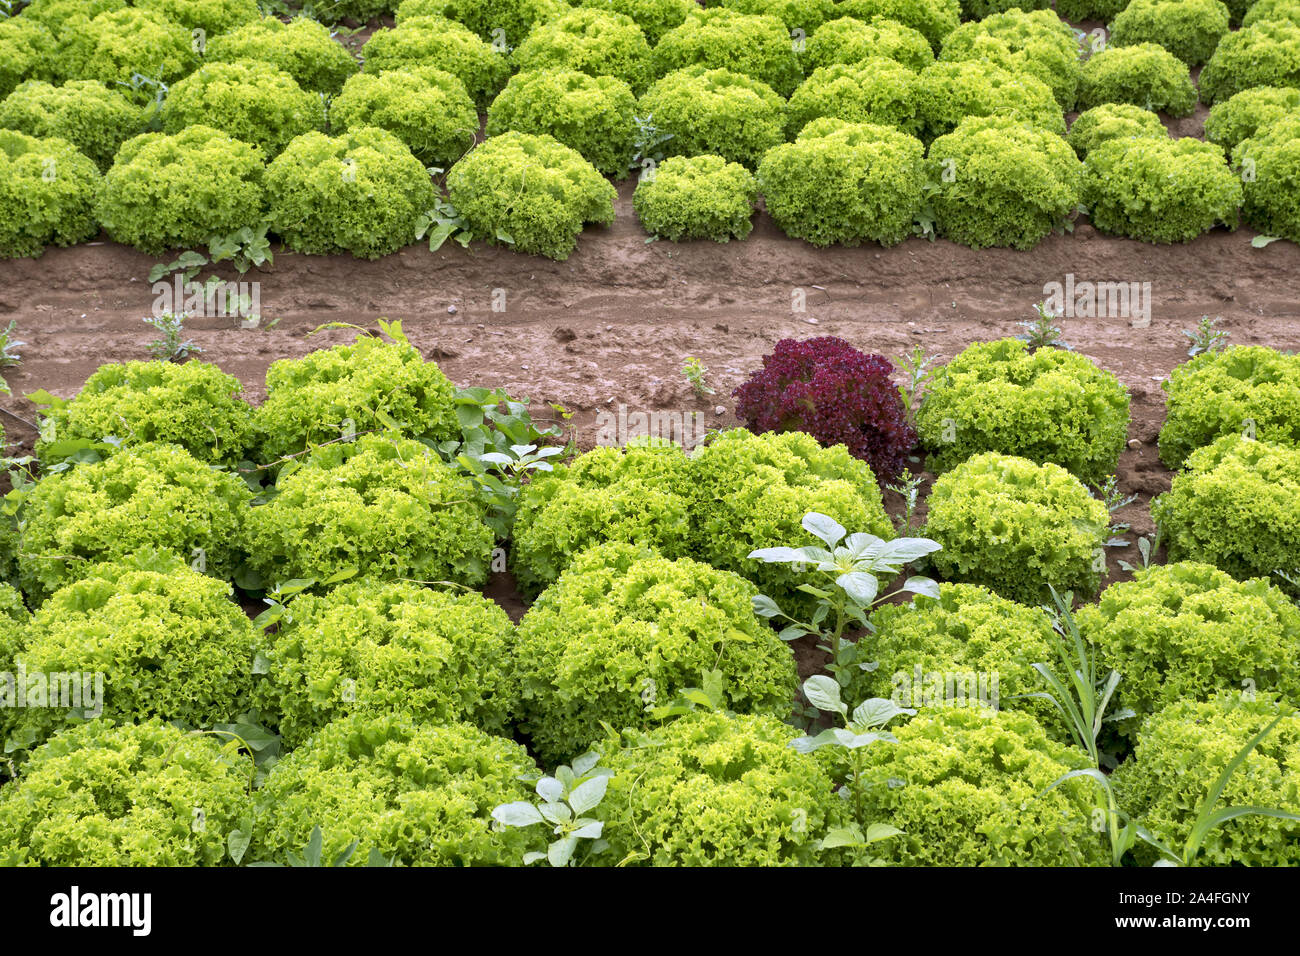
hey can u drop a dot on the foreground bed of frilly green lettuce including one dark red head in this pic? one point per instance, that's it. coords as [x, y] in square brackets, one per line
[387, 703]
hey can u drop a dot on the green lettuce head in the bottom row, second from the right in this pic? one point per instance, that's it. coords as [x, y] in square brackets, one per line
[964, 785]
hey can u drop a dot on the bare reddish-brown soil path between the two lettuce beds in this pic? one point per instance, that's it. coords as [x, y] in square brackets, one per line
[614, 323]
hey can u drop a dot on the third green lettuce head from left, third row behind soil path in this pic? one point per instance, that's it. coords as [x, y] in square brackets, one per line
[302, 49]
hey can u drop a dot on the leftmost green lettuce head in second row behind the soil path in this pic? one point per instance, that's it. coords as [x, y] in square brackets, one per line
[86, 114]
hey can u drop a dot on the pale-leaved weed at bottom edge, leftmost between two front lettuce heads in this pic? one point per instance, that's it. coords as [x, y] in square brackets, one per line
[566, 799]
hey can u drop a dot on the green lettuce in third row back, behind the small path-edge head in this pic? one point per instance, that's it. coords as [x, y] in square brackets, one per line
[756, 46]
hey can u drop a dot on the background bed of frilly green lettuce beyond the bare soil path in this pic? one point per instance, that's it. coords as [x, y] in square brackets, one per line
[857, 122]
